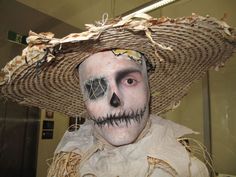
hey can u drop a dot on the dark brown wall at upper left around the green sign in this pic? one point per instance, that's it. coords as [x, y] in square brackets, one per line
[22, 21]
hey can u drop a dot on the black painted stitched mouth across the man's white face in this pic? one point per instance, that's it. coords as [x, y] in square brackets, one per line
[117, 118]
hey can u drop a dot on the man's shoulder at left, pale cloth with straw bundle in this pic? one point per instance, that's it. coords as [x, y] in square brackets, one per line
[70, 150]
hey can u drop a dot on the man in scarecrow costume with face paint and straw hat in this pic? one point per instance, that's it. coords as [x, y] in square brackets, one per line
[120, 73]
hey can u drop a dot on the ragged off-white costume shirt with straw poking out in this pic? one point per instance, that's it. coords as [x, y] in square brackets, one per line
[157, 154]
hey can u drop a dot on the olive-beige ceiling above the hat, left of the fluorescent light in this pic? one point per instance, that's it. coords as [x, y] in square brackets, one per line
[79, 12]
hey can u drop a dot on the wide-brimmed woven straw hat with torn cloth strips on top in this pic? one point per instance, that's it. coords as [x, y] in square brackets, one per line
[179, 50]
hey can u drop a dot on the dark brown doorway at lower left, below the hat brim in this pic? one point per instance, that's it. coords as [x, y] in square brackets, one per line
[19, 128]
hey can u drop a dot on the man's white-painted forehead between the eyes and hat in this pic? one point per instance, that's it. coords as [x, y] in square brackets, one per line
[105, 63]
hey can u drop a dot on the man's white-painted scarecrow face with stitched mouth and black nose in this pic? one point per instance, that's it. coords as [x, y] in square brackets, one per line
[116, 94]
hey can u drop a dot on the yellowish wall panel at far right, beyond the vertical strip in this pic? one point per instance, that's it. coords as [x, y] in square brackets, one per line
[223, 102]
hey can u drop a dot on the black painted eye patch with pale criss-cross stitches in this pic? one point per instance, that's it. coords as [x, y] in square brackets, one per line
[96, 88]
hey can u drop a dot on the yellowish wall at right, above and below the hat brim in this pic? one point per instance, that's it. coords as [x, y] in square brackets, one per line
[222, 89]
